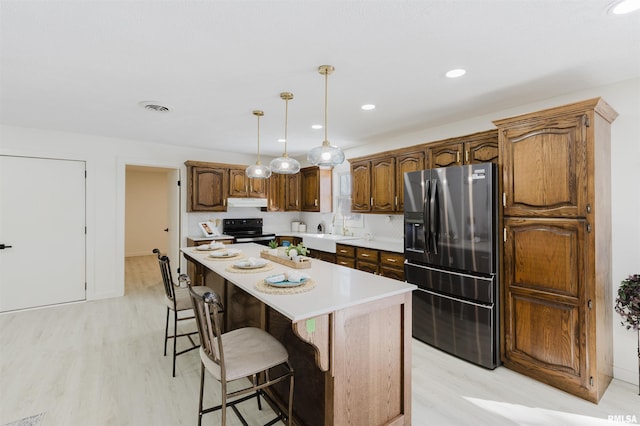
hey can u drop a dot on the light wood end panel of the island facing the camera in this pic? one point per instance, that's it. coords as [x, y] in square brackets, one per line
[371, 367]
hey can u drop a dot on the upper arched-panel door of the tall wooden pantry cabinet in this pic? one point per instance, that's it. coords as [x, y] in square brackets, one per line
[545, 168]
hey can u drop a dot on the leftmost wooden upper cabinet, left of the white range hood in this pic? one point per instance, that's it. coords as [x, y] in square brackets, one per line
[207, 187]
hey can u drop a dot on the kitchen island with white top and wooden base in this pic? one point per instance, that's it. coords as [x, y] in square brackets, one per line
[348, 337]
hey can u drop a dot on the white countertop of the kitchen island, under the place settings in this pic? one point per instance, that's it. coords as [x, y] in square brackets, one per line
[337, 287]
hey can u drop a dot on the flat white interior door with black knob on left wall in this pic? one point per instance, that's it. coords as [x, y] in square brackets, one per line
[42, 218]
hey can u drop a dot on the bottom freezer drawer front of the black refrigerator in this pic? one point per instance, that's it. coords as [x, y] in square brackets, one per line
[464, 329]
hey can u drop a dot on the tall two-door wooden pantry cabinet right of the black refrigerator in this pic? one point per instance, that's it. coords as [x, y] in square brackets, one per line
[557, 282]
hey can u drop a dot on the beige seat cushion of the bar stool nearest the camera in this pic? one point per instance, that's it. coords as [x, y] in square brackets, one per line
[247, 351]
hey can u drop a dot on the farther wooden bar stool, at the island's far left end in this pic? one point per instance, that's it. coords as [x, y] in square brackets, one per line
[177, 300]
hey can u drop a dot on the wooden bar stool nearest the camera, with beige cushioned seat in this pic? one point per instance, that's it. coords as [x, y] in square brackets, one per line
[243, 353]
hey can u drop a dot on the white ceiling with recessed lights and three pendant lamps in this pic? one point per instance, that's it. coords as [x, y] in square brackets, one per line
[84, 66]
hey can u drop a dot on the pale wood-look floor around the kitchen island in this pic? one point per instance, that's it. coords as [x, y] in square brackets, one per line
[101, 363]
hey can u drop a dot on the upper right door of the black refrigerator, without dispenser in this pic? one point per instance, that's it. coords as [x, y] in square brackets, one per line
[462, 210]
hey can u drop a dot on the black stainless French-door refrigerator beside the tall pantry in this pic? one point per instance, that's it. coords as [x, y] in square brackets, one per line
[451, 254]
